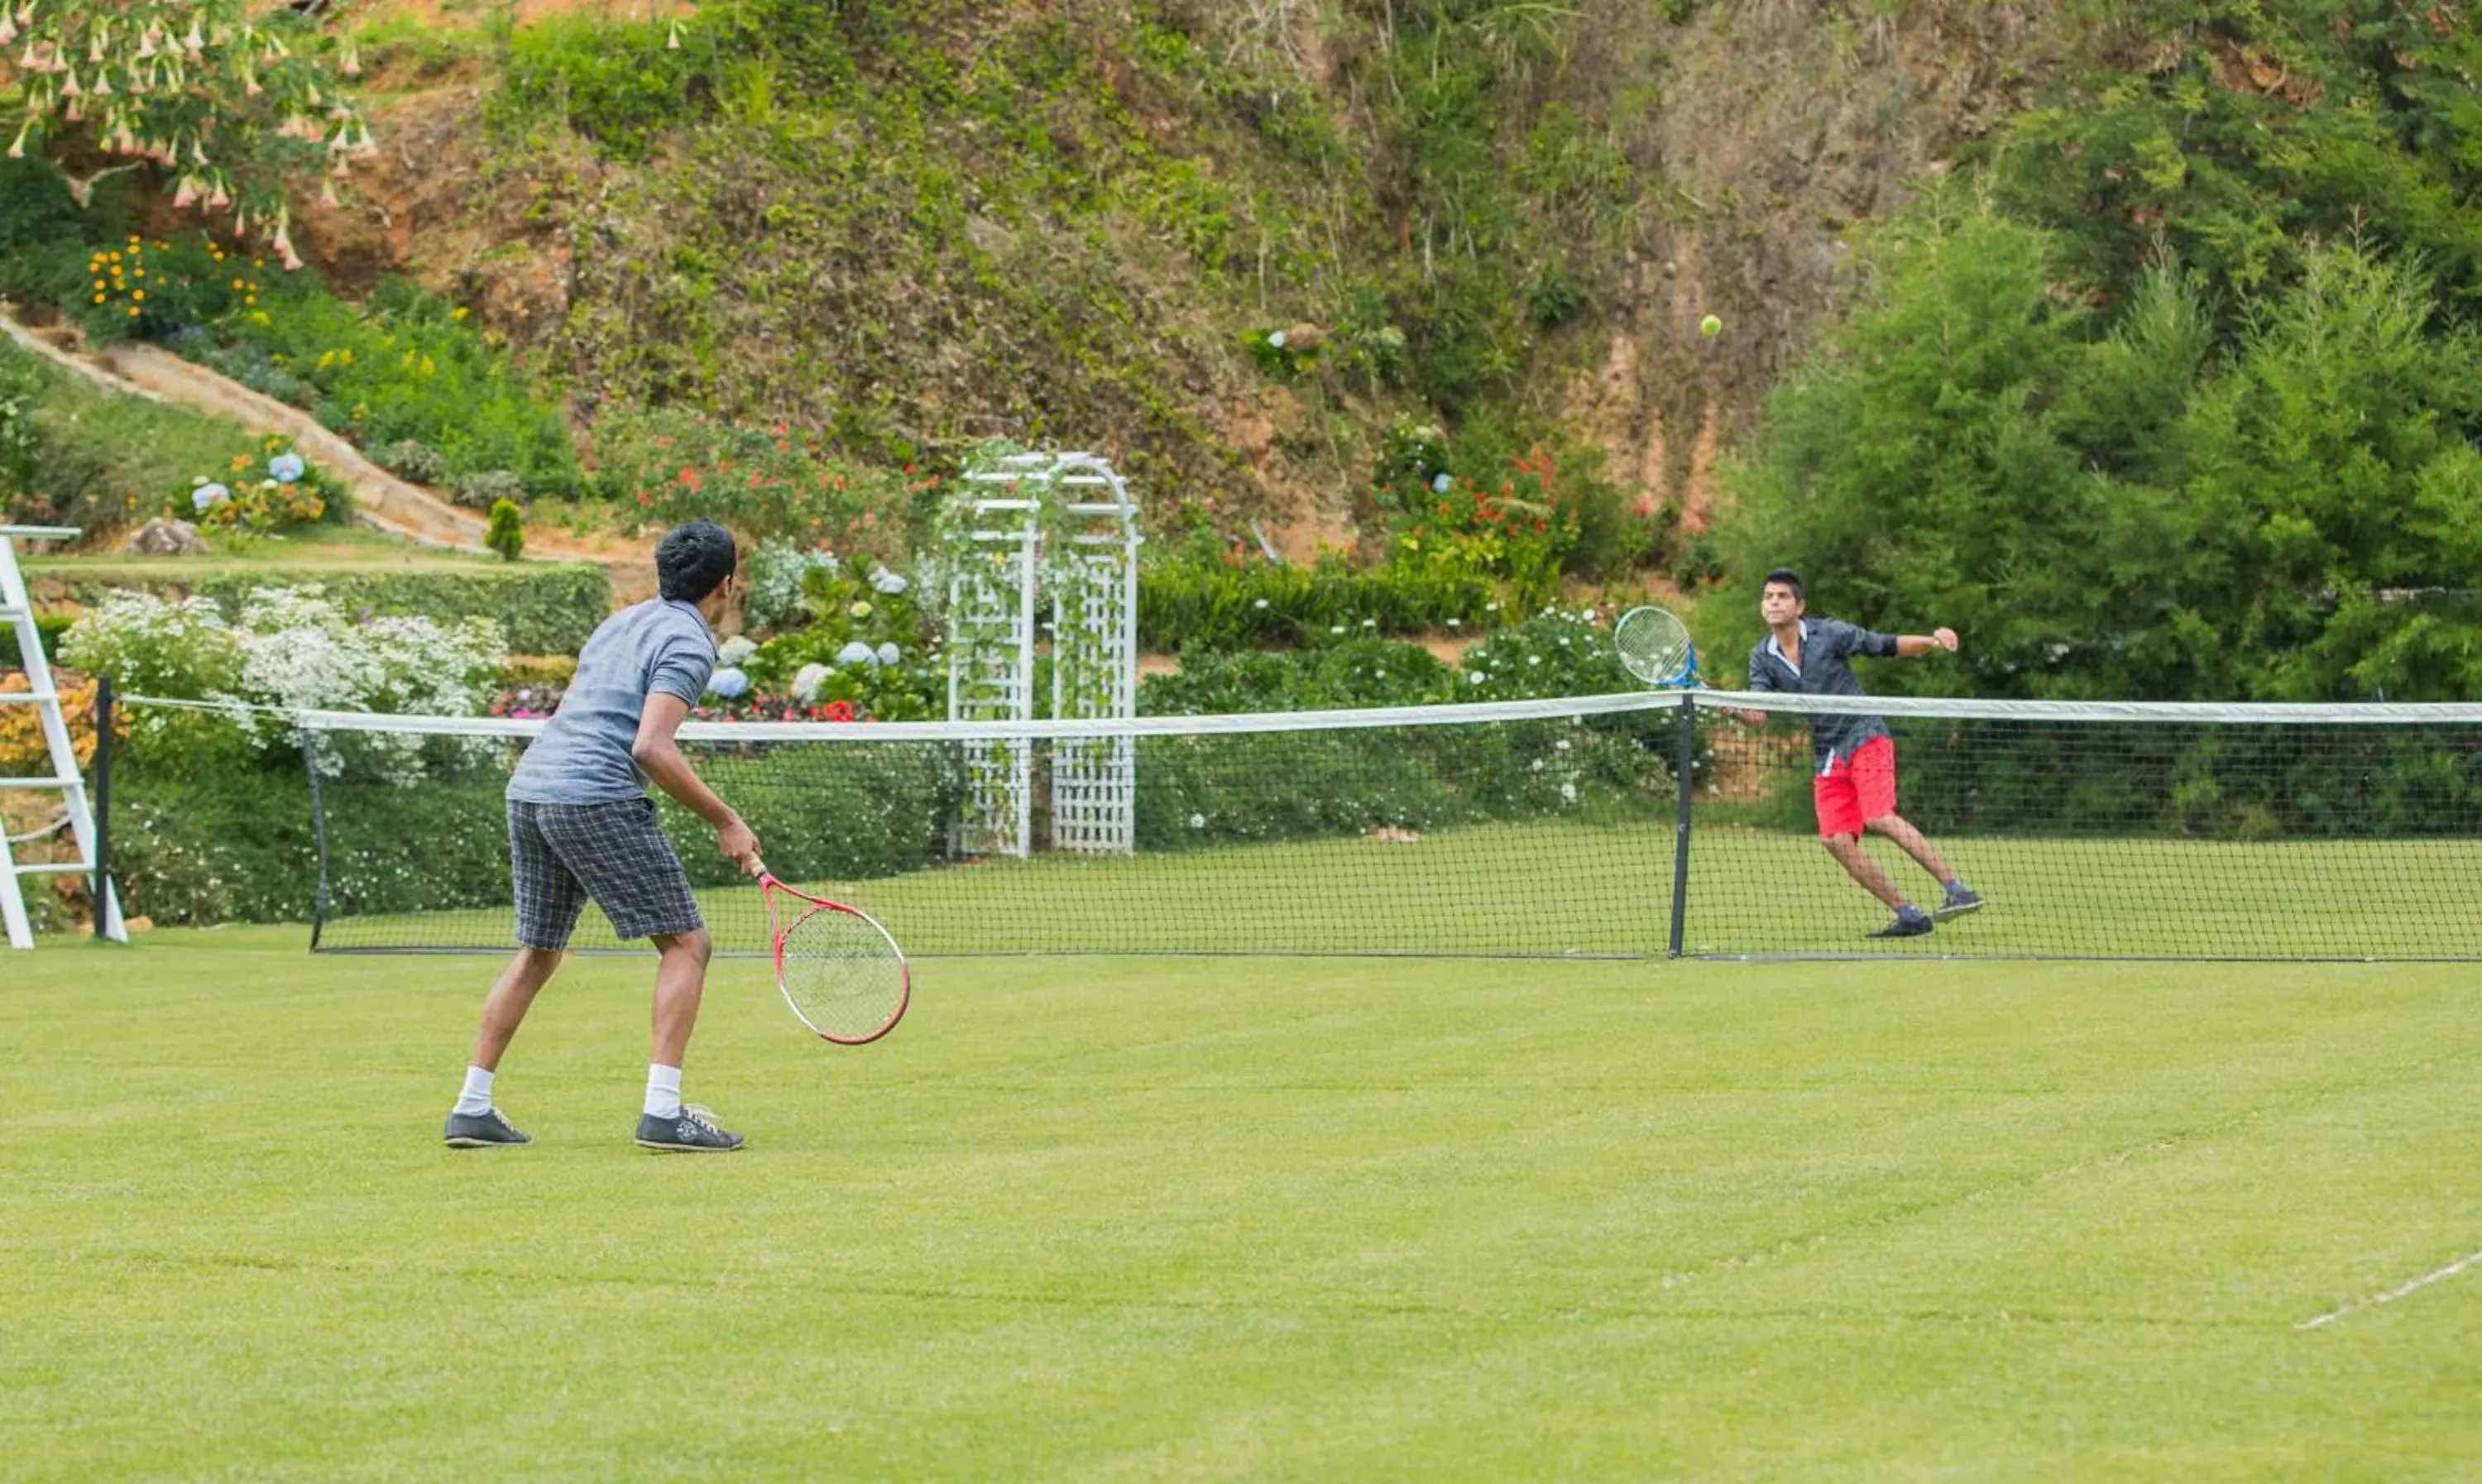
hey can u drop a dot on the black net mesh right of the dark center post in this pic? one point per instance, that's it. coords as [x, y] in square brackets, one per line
[2156, 833]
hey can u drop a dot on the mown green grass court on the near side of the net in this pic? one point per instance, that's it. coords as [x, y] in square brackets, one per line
[1250, 1220]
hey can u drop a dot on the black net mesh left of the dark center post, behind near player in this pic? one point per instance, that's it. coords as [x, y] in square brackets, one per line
[1490, 838]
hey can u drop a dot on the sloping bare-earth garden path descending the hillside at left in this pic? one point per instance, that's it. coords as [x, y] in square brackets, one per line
[381, 500]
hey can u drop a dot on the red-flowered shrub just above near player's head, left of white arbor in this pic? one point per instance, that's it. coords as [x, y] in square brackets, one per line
[666, 468]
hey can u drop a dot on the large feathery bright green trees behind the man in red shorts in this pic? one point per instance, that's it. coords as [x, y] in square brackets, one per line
[2123, 510]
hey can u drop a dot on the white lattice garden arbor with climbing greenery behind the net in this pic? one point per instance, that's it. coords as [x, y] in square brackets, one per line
[1046, 532]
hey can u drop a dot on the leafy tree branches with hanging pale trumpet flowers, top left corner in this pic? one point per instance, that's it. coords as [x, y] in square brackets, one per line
[225, 101]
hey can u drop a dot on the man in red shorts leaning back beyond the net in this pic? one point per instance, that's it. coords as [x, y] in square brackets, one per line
[1855, 758]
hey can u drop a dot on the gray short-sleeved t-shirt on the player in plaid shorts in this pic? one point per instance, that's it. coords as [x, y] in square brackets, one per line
[582, 758]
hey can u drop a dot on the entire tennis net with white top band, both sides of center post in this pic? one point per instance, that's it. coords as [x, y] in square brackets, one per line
[2091, 830]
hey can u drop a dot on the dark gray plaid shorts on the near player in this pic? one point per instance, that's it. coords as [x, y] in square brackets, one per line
[617, 855]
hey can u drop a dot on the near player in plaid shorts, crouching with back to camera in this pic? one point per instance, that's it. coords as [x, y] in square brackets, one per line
[582, 828]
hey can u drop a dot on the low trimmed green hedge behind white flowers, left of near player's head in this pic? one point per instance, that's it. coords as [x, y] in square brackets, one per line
[542, 609]
